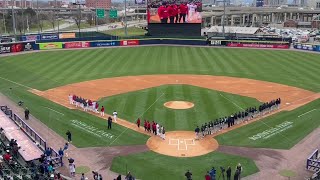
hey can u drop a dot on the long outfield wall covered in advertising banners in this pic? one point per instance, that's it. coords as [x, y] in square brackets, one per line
[69, 44]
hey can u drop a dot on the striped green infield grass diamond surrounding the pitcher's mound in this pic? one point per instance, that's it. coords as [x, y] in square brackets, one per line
[209, 105]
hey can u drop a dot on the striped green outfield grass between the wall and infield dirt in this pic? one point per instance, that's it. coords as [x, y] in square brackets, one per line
[51, 69]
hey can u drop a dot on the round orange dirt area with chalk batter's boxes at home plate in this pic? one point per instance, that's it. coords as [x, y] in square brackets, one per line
[182, 144]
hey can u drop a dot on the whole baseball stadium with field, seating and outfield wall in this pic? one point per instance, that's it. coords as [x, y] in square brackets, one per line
[158, 108]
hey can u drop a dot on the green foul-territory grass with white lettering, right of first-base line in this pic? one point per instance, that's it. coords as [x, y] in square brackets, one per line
[303, 120]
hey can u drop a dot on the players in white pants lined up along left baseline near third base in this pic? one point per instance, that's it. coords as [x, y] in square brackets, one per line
[89, 105]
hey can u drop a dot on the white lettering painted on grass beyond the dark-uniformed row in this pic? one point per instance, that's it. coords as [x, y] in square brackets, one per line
[272, 131]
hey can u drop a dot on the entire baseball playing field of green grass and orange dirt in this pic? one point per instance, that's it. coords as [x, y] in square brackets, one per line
[138, 81]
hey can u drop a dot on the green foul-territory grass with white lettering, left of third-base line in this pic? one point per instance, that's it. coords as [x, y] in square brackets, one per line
[61, 123]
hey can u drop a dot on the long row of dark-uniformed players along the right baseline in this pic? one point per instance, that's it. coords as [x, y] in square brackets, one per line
[237, 118]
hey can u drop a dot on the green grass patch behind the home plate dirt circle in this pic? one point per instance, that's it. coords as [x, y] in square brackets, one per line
[151, 165]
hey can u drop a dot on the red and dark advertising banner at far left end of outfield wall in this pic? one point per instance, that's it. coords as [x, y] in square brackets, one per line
[15, 47]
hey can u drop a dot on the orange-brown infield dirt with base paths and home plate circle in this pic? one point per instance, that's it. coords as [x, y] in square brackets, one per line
[181, 144]
